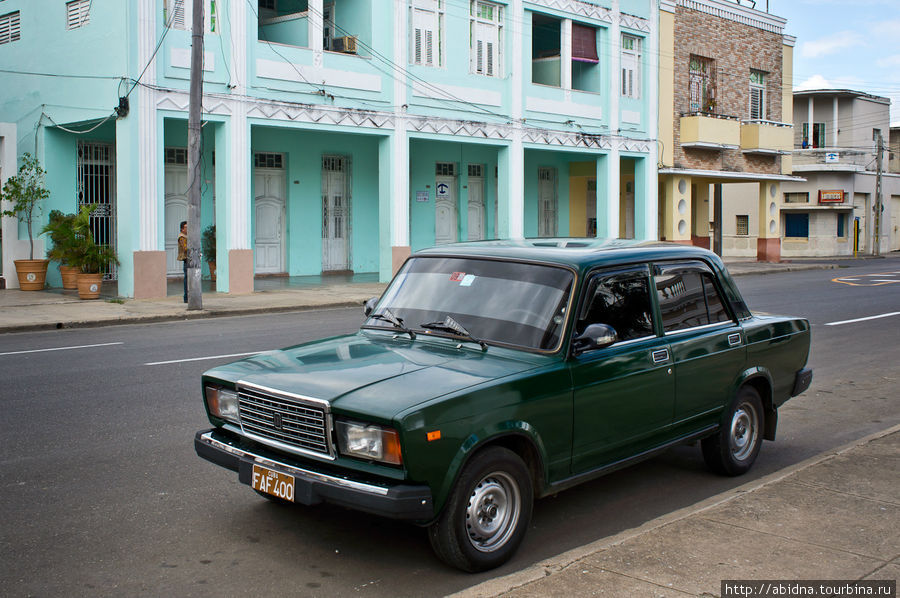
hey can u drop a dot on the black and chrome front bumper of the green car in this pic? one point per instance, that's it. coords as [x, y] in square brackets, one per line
[397, 501]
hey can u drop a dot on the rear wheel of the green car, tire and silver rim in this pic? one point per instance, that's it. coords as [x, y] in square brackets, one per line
[732, 450]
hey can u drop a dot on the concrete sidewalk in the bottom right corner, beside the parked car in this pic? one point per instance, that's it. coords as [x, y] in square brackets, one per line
[835, 516]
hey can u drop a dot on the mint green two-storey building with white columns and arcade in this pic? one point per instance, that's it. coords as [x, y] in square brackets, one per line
[339, 135]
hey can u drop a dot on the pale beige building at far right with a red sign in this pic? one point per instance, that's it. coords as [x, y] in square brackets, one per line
[831, 212]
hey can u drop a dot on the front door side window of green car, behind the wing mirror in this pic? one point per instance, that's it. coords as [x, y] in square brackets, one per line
[621, 300]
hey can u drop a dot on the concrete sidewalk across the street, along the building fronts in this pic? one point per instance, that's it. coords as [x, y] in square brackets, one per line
[22, 311]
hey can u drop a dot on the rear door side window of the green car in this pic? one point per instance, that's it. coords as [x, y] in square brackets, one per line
[688, 299]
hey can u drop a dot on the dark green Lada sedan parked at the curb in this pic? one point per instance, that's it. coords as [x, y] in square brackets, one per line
[489, 374]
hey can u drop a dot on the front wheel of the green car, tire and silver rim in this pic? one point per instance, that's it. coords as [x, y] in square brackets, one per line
[487, 513]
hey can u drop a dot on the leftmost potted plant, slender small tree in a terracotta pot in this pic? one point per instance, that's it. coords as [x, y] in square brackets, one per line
[26, 192]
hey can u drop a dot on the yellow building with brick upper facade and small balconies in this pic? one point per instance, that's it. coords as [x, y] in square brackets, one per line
[725, 79]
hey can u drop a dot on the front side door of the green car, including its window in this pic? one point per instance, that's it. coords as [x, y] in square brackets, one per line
[624, 393]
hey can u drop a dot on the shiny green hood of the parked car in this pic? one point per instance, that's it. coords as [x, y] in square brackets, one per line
[375, 374]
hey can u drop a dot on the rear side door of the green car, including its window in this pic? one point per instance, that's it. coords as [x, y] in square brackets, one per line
[707, 344]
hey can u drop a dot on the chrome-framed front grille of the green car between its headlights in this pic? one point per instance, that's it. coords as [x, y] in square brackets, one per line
[290, 421]
